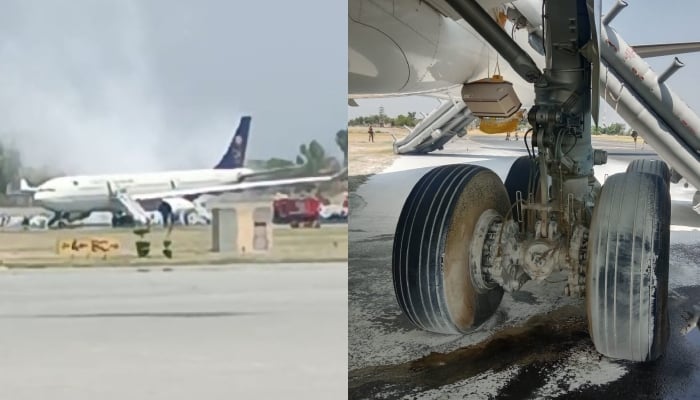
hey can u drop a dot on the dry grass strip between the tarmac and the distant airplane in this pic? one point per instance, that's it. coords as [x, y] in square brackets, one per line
[190, 245]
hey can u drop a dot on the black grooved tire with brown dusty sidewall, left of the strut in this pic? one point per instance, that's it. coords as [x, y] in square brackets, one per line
[432, 282]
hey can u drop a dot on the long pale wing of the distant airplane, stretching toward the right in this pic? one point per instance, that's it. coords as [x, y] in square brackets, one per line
[238, 186]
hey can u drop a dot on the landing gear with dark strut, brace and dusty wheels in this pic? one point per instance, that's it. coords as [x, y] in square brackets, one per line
[464, 237]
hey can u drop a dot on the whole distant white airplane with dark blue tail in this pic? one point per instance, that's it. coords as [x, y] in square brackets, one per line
[128, 196]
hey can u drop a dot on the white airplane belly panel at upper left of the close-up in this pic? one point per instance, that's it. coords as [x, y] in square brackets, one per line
[409, 47]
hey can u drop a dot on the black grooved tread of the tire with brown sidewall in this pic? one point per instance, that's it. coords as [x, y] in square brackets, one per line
[419, 251]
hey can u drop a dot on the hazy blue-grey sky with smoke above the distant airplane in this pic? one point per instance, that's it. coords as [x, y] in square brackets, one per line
[127, 85]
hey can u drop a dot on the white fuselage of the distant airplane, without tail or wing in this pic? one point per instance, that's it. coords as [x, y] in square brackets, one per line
[88, 193]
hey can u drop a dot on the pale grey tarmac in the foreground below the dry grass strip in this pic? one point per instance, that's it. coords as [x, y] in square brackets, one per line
[244, 332]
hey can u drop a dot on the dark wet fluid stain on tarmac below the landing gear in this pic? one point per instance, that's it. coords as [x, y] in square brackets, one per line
[541, 339]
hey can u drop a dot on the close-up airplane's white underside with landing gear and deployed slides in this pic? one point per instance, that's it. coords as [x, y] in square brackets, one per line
[463, 236]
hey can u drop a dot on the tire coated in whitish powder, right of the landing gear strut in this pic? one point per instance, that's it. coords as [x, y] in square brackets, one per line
[628, 257]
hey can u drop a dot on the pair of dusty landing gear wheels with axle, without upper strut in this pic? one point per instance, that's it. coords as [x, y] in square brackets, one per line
[461, 242]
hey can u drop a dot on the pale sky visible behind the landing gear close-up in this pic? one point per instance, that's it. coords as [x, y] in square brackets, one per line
[639, 23]
